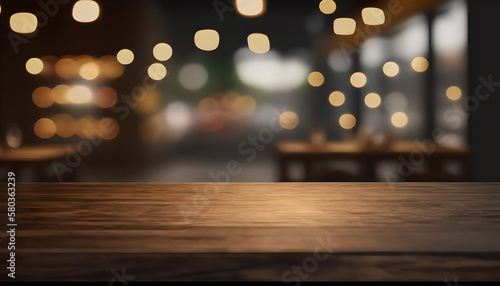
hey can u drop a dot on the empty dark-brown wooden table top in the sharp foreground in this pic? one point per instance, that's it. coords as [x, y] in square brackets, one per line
[257, 231]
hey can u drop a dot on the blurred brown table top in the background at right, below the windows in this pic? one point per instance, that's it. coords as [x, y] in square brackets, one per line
[354, 147]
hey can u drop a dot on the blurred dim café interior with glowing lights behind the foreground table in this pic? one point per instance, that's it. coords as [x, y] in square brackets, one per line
[249, 90]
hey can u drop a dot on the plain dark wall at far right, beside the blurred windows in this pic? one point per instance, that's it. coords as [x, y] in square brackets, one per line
[484, 62]
